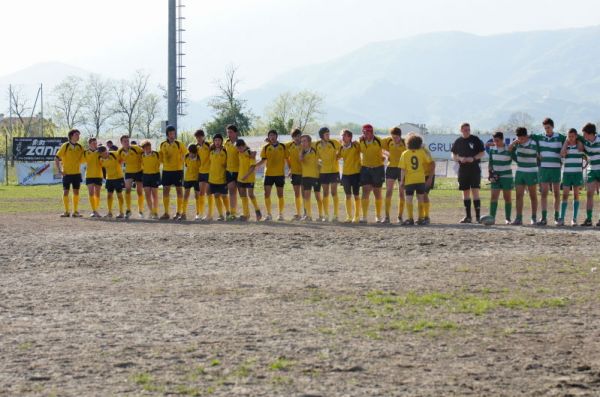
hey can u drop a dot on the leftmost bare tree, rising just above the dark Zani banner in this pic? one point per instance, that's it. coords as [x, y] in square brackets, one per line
[69, 102]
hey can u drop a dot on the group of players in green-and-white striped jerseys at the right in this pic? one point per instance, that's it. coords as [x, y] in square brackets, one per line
[540, 159]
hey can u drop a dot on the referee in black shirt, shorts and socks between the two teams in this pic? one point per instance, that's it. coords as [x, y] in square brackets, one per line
[468, 151]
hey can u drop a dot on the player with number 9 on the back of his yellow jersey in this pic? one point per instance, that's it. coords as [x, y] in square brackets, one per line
[414, 162]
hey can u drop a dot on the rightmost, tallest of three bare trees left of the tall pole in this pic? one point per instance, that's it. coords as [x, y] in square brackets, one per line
[129, 96]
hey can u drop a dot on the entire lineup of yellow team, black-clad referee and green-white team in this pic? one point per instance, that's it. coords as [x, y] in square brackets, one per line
[216, 174]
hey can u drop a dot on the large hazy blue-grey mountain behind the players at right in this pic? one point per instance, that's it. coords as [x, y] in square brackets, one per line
[445, 78]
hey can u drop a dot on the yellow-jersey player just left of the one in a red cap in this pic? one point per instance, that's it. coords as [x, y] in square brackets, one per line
[350, 154]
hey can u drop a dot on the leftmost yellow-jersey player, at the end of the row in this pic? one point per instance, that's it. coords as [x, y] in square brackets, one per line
[68, 162]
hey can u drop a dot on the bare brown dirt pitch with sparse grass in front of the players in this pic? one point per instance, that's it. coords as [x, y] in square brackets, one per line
[100, 308]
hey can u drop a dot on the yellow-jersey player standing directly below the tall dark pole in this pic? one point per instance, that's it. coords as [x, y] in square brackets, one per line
[172, 153]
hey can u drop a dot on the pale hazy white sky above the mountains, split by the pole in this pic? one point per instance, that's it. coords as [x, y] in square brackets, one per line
[263, 38]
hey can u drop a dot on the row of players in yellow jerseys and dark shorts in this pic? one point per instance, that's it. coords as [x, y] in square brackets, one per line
[220, 171]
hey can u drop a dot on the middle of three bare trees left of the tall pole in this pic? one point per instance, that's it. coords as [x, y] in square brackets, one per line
[97, 103]
